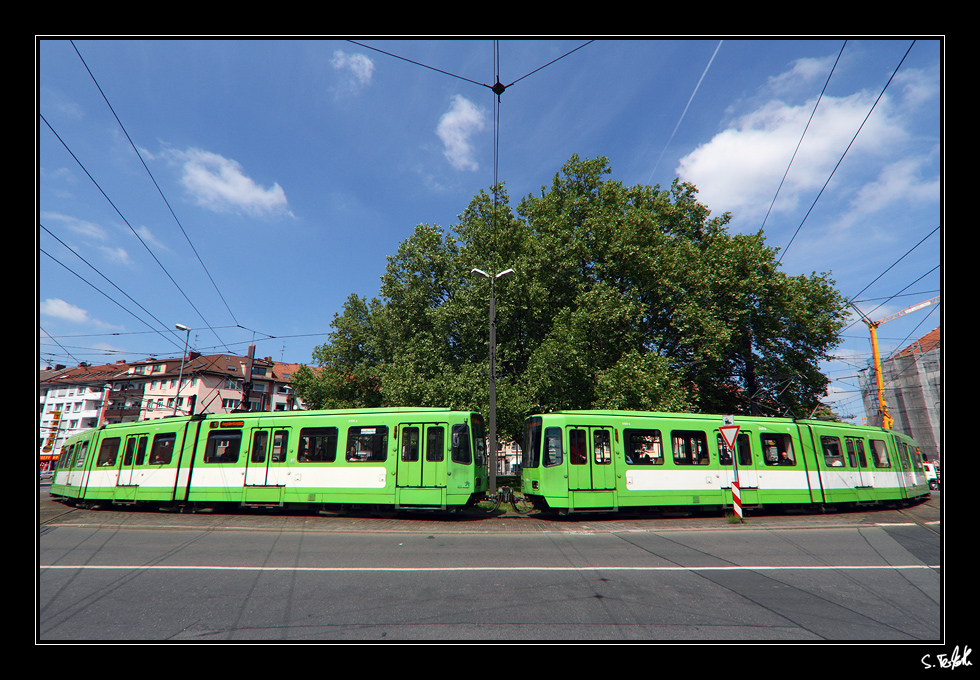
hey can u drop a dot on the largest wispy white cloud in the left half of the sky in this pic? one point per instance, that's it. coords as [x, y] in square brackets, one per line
[221, 185]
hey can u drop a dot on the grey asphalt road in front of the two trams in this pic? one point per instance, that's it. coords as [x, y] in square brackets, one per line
[253, 576]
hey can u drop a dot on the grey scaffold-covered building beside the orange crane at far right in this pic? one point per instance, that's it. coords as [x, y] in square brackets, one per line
[913, 382]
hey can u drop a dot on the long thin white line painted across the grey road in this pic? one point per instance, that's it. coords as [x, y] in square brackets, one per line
[201, 567]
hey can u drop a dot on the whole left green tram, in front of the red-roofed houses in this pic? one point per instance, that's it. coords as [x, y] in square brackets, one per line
[397, 458]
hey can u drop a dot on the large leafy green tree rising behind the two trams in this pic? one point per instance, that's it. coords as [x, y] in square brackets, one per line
[623, 298]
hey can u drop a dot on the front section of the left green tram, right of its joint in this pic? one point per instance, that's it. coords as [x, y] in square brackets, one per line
[338, 459]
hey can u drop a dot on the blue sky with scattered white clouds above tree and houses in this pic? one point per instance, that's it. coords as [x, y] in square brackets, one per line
[274, 177]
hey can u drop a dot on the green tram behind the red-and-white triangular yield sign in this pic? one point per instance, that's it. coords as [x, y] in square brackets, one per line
[580, 461]
